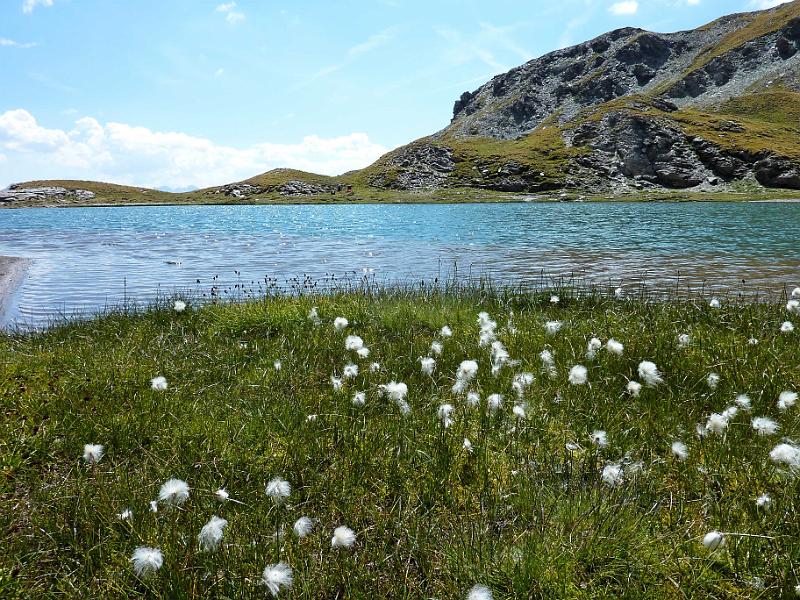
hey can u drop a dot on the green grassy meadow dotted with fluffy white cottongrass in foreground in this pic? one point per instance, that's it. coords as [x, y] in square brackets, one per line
[406, 444]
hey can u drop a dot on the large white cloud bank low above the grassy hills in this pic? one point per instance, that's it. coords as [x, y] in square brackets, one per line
[140, 156]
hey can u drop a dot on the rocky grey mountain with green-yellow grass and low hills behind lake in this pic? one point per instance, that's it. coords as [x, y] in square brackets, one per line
[715, 108]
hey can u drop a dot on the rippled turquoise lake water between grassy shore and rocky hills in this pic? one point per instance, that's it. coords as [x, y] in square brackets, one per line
[88, 258]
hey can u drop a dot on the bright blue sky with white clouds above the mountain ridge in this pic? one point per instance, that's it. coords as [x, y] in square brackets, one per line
[177, 94]
